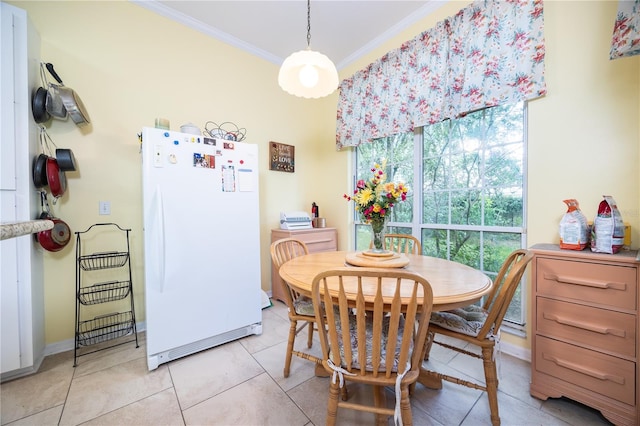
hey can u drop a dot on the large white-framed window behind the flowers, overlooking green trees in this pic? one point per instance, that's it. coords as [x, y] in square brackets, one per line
[467, 180]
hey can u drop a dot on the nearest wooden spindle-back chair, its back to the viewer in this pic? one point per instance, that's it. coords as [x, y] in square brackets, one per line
[366, 318]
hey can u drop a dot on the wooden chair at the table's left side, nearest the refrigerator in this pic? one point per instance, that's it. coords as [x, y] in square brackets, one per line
[300, 307]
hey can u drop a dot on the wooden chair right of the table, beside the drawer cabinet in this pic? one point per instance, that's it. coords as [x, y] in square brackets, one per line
[480, 326]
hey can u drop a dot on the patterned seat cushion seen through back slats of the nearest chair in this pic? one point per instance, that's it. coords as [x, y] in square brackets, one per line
[369, 337]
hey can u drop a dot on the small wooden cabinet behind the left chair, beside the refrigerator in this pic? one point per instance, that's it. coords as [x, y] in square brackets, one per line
[316, 239]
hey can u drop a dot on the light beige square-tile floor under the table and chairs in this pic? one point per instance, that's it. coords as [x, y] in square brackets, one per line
[241, 383]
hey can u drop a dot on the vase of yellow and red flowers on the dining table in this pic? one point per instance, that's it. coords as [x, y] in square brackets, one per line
[374, 199]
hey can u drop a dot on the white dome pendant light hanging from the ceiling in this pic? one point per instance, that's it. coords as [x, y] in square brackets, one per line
[307, 73]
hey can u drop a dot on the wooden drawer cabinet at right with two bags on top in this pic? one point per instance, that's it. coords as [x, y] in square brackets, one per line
[585, 325]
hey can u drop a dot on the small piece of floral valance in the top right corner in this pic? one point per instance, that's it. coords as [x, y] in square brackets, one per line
[626, 31]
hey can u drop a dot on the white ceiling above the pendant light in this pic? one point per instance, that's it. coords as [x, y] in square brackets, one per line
[272, 30]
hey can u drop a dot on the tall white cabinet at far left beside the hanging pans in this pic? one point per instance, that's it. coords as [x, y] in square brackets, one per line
[22, 310]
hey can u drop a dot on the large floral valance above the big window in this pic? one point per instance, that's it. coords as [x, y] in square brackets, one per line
[489, 53]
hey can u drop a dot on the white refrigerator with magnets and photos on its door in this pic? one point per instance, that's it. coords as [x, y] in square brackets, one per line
[201, 243]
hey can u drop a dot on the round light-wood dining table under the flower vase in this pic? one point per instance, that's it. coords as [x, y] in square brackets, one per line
[453, 284]
